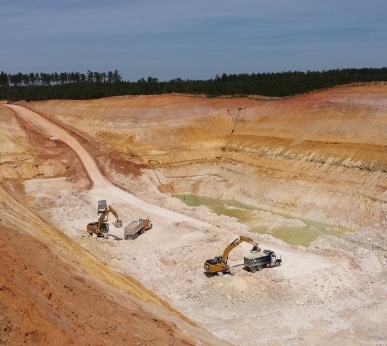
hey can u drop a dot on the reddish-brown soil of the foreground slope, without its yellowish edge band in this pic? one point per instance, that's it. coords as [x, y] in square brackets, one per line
[45, 301]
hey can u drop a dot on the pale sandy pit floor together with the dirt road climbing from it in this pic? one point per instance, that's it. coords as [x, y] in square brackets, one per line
[330, 293]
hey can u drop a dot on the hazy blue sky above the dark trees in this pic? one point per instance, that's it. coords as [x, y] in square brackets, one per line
[191, 39]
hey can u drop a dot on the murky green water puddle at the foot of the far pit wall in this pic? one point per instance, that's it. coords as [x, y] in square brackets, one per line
[291, 230]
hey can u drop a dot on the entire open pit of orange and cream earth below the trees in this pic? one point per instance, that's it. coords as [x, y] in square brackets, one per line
[304, 177]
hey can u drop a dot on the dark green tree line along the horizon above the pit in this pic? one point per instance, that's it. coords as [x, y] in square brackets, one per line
[91, 85]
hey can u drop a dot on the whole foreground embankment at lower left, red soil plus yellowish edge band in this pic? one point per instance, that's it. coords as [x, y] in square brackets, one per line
[54, 292]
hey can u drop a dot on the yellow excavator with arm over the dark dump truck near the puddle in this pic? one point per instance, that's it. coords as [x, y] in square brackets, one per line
[219, 265]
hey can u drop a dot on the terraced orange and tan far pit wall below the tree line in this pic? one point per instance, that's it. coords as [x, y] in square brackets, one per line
[321, 156]
